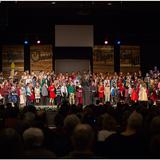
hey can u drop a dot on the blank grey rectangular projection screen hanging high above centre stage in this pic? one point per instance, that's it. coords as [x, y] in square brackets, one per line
[74, 35]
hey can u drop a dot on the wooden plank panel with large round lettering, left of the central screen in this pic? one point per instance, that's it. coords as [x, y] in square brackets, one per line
[41, 58]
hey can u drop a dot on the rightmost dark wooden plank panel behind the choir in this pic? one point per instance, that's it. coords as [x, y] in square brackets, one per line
[129, 58]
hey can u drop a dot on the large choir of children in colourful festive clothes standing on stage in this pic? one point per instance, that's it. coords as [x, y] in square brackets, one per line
[48, 88]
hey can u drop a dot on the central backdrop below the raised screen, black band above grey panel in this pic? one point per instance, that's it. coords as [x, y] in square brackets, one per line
[68, 59]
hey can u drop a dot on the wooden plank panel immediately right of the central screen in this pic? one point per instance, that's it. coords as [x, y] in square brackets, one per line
[103, 58]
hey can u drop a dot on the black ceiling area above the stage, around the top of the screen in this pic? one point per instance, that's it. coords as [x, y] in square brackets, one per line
[133, 22]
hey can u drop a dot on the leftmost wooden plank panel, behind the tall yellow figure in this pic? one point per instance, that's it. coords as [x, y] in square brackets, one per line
[13, 53]
